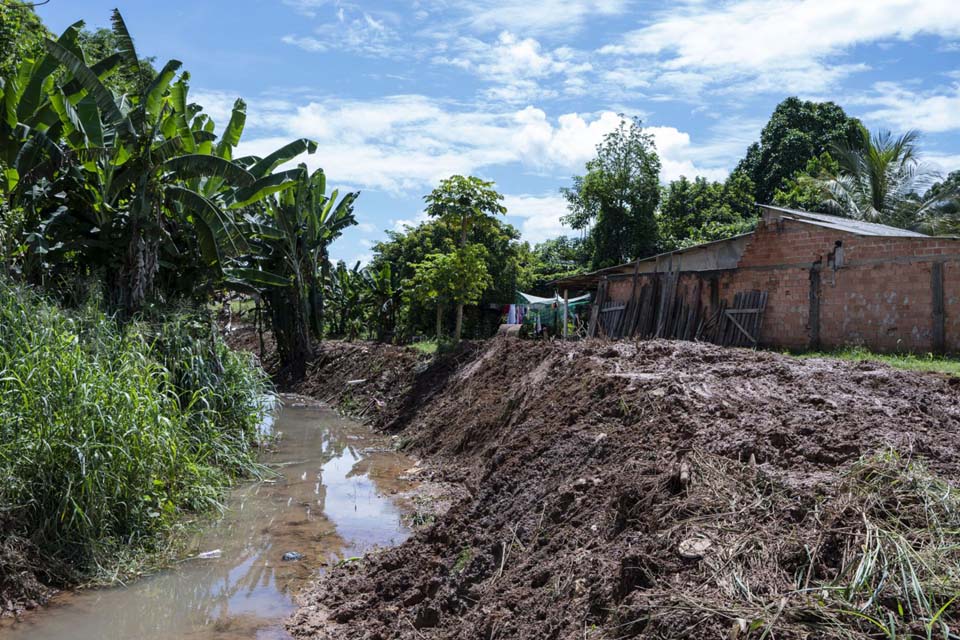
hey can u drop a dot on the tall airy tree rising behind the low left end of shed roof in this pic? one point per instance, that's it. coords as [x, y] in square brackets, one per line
[617, 197]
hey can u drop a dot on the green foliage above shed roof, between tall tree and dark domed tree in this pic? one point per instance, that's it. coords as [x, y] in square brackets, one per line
[703, 211]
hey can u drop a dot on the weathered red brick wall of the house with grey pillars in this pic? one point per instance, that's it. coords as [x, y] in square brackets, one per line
[880, 297]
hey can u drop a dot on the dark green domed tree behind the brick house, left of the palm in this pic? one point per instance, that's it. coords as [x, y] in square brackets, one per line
[797, 131]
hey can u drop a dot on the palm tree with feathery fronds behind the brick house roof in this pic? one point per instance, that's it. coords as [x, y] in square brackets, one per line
[881, 179]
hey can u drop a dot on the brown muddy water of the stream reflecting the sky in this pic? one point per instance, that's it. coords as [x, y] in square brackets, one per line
[337, 498]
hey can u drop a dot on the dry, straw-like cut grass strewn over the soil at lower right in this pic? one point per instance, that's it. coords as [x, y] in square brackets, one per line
[878, 557]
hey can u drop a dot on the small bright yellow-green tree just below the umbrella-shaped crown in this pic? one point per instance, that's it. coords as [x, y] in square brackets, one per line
[456, 278]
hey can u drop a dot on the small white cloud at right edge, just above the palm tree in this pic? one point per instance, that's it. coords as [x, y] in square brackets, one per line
[901, 109]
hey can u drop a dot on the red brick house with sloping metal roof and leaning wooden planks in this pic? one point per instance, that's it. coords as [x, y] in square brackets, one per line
[800, 280]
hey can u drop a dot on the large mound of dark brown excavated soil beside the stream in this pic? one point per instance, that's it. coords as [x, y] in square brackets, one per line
[667, 490]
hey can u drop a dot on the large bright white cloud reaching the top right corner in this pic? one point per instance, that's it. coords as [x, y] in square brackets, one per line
[770, 45]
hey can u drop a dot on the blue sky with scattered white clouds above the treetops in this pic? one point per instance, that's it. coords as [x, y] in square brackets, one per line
[401, 94]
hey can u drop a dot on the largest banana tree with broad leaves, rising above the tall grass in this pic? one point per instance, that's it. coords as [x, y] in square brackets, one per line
[138, 154]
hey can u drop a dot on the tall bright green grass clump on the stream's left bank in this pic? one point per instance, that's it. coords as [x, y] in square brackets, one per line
[109, 433]
